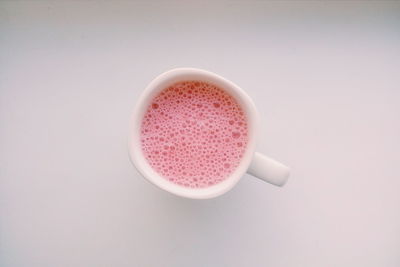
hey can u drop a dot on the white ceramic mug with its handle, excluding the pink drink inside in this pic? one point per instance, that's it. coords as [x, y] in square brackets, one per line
[252, 162]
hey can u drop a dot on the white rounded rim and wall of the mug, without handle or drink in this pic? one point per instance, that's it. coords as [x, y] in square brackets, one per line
[158, 84]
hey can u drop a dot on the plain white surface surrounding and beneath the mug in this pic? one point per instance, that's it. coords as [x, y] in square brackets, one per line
[324, 75]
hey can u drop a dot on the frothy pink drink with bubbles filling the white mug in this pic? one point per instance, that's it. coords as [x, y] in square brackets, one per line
[194, 134]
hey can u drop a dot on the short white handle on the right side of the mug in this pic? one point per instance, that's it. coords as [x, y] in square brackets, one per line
[268, 170]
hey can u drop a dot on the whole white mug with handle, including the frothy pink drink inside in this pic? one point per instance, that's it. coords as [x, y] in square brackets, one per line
[193, 134]
